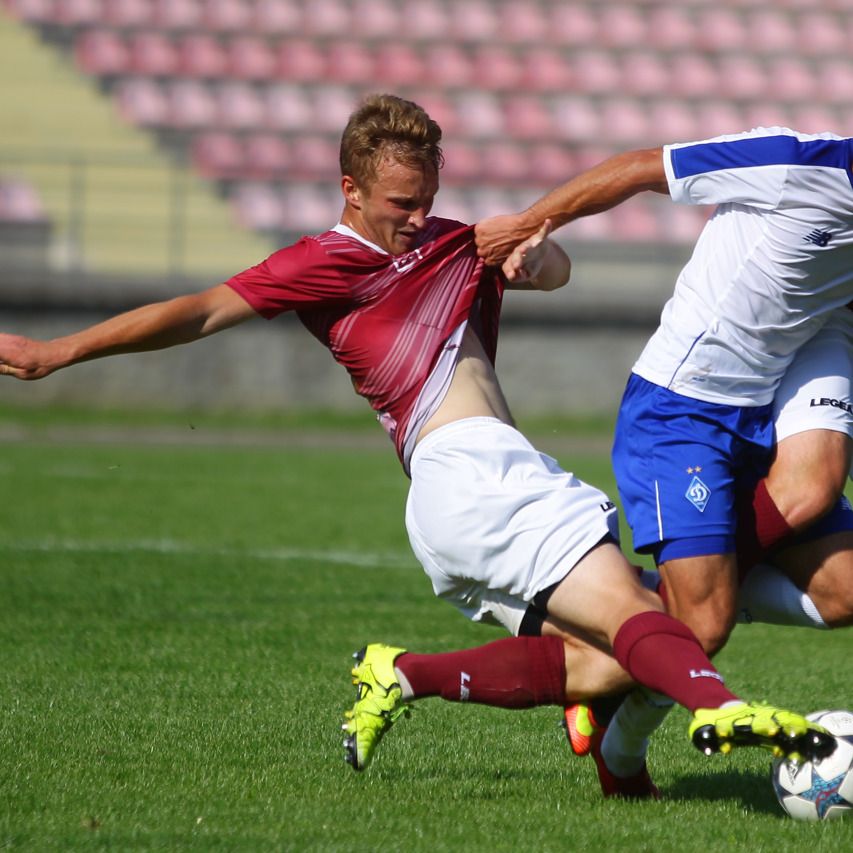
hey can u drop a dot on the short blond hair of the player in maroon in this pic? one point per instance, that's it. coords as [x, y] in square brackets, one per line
[387, 125]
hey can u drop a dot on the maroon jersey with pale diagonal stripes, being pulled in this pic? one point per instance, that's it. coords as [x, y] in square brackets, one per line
[384, 317]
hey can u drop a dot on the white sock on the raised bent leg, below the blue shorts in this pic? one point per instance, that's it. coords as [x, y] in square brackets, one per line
[770, 596]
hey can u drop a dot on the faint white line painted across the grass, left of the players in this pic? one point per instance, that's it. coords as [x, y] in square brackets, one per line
[170, 546]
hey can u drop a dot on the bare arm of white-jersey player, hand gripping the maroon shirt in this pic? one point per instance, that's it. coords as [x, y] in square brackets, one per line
[599, 188]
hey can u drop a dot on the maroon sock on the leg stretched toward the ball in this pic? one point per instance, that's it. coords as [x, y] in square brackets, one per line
[662, 653]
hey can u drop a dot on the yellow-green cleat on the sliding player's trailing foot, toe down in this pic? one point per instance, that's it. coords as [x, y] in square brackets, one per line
[378, 702]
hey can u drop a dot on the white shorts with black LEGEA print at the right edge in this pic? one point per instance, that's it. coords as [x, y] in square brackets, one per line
[815, 392]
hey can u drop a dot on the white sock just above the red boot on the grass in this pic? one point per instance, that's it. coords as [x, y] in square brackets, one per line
[626, 740]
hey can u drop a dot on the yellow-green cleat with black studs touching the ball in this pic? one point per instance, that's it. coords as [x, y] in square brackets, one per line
[783, 732]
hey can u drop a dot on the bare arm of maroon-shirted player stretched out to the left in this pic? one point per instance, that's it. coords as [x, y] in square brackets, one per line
[151, 327]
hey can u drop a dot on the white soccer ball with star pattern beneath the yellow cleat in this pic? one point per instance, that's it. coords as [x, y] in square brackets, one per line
[819, 790]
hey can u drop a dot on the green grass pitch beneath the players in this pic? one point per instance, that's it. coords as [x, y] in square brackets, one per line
[178, 619]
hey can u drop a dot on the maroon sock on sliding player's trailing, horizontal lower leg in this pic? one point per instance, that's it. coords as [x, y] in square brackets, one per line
[516, 672]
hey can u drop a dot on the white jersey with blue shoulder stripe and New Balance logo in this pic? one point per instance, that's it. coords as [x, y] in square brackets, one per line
[770, 266]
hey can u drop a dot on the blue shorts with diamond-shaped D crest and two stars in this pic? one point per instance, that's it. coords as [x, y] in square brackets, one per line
[680, 463]
